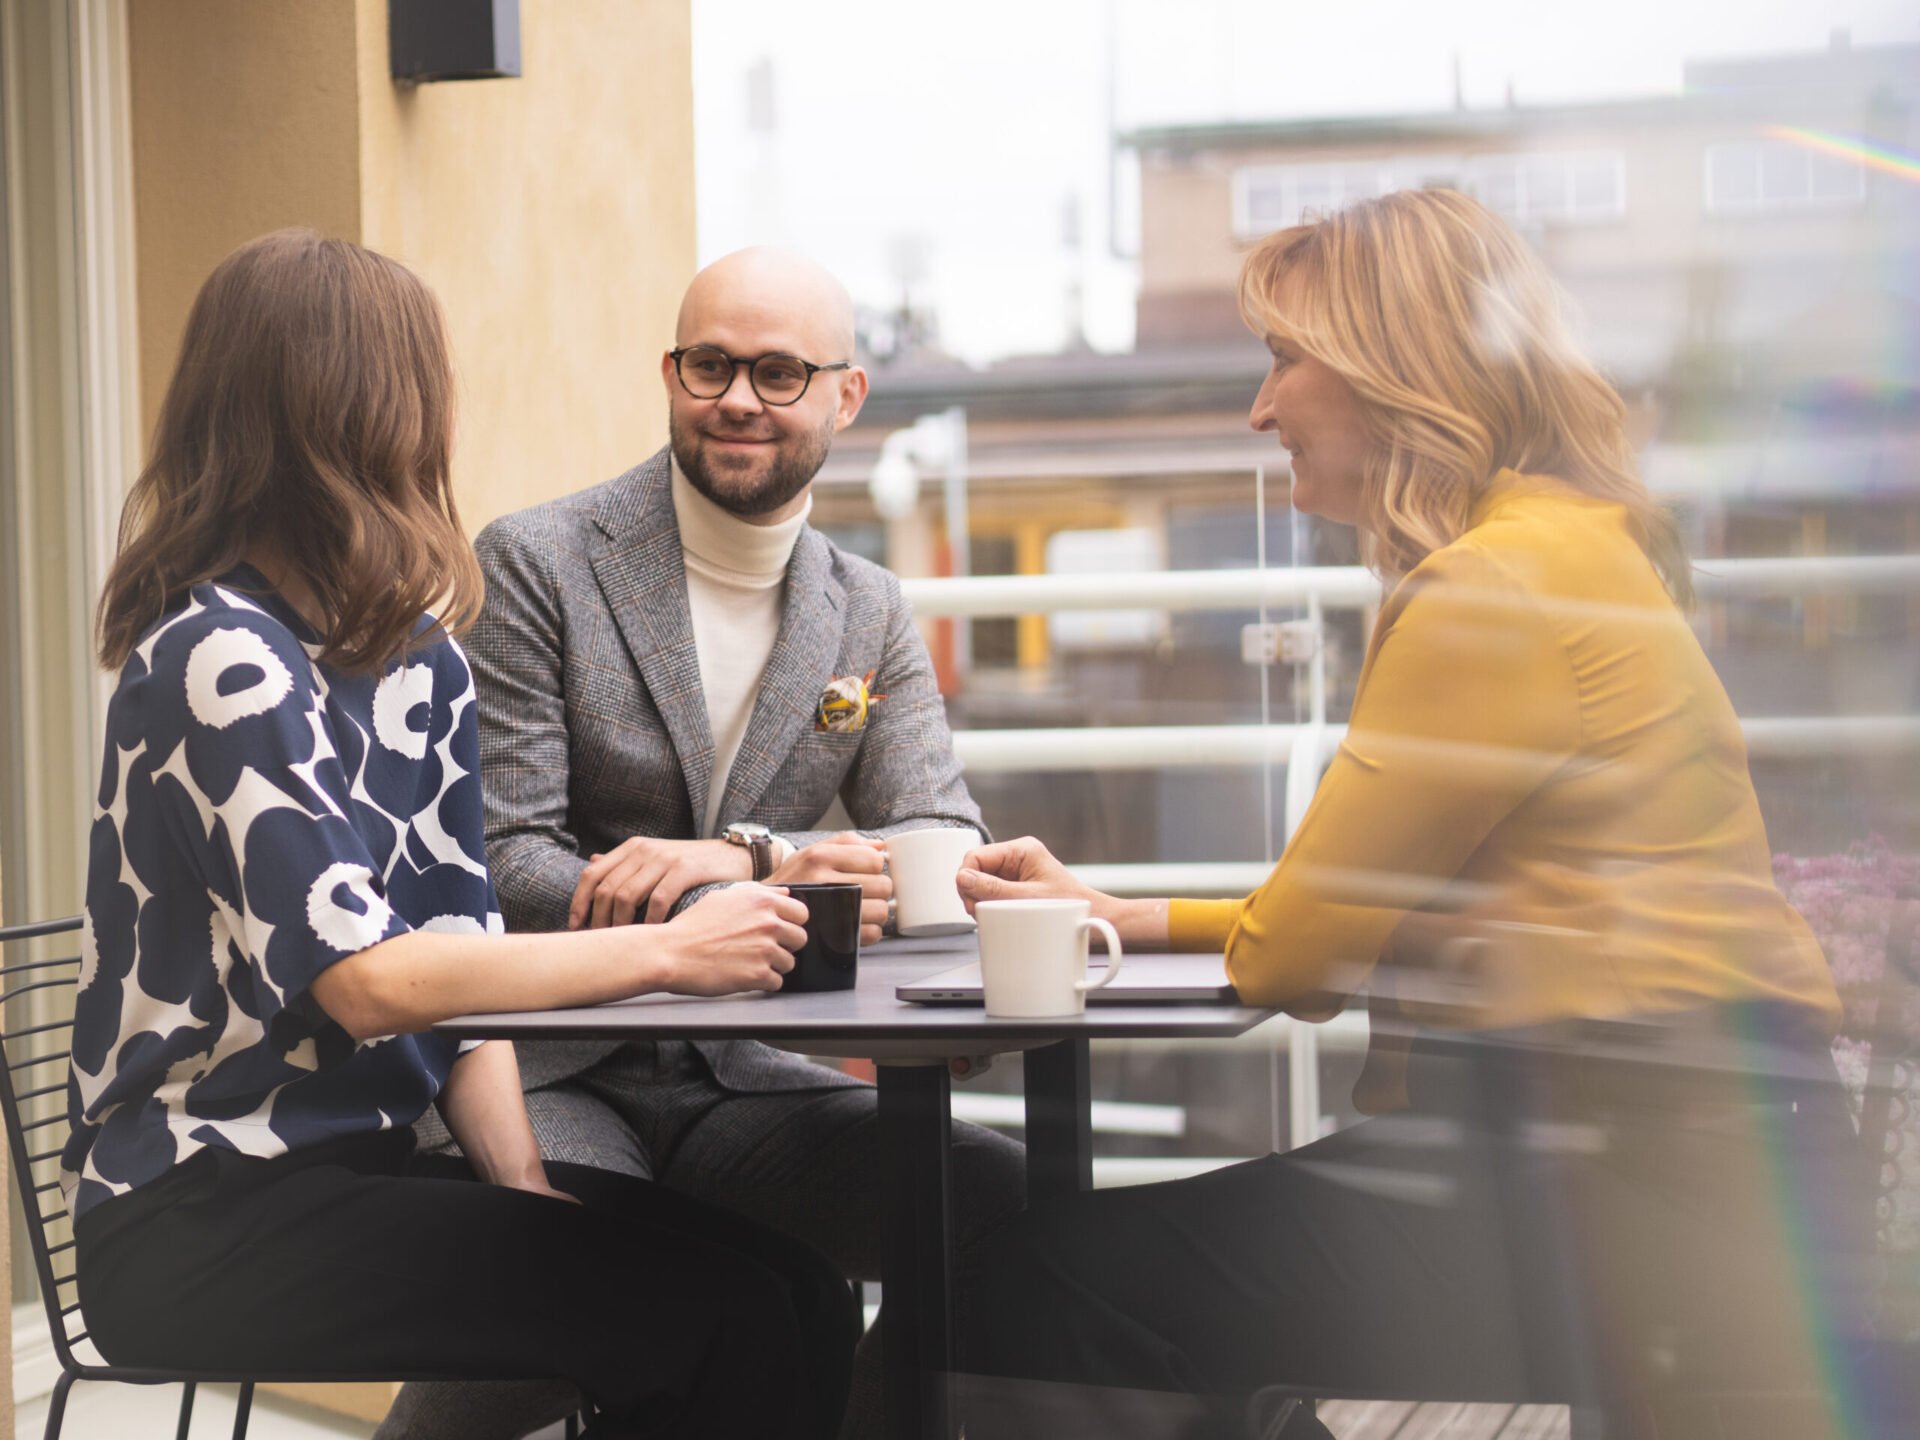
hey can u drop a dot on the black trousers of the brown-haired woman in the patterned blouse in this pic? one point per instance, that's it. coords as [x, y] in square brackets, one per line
[673, 1316]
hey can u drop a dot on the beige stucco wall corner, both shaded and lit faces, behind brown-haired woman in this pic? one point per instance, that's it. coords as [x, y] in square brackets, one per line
[554, 214]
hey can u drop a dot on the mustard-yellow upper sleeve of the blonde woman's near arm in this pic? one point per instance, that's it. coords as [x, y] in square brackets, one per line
[1466, 706]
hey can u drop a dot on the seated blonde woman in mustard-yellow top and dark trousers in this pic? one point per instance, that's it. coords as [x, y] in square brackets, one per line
[1541, 817]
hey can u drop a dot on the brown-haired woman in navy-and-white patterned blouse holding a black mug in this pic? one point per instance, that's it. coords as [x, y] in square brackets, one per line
[289, 888]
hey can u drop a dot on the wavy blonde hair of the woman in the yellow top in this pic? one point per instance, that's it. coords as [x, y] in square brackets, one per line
[1451, 333]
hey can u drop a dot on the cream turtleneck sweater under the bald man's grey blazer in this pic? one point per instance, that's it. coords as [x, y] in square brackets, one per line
[736, 590]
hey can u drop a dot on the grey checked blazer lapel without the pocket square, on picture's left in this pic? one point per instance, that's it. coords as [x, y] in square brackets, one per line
[642, 575]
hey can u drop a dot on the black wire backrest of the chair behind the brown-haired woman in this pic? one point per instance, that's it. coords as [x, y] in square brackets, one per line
[34, 1093]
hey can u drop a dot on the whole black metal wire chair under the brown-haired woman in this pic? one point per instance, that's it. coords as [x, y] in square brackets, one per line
[37, 1134]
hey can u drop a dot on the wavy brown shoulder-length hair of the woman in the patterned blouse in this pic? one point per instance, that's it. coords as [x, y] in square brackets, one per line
[310, 416]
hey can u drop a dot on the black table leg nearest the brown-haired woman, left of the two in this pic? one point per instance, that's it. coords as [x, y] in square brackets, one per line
[917, 1122]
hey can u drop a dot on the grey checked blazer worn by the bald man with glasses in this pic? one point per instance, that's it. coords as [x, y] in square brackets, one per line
[594, 727]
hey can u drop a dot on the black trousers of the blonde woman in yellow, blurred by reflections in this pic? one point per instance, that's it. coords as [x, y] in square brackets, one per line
[1437, 1255]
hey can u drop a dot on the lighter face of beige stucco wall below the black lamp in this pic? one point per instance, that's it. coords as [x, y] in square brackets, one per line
[554, 216]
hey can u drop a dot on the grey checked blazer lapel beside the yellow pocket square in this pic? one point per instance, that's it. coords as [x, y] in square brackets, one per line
[798, 671]
